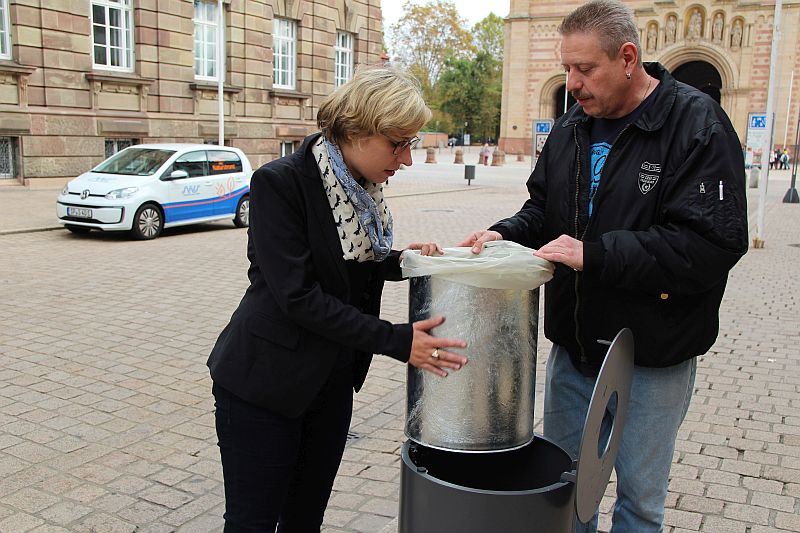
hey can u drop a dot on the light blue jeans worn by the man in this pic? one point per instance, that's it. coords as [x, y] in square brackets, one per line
[659, 401]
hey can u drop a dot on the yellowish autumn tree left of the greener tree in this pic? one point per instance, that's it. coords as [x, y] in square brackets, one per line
[425, 36]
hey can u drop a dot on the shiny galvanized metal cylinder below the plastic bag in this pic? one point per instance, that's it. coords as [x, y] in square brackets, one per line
[488, 405]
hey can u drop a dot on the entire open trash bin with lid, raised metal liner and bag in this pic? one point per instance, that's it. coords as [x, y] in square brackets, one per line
[472, 463]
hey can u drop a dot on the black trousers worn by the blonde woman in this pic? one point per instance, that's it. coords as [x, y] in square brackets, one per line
[280, 470]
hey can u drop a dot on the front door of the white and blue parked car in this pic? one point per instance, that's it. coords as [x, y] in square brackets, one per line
[192, 197]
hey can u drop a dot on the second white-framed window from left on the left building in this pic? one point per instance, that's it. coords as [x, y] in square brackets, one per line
[112, 34]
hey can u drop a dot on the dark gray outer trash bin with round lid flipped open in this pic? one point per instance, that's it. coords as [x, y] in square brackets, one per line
[534, 488]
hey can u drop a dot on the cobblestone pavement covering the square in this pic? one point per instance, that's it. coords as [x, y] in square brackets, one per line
[106, 418]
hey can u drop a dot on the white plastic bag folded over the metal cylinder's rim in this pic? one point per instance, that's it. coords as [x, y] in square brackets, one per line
[500, 265]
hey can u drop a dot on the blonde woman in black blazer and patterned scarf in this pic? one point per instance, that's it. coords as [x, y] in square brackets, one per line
[303, 336]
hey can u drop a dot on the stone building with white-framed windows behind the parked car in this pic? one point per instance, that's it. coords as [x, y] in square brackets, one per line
[80, 79]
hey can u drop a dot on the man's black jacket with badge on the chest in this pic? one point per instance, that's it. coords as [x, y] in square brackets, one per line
[669, 221]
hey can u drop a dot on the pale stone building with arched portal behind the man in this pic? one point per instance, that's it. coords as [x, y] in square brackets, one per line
[719, 46]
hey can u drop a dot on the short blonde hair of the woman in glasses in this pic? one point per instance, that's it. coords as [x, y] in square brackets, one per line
[378, 100]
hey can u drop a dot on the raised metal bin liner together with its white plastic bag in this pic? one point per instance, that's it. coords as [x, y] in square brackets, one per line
[491, 301]
